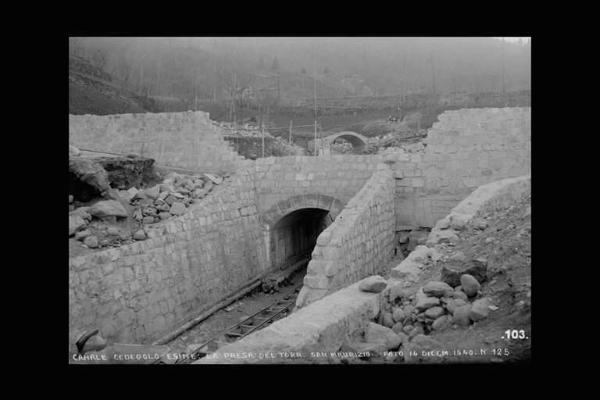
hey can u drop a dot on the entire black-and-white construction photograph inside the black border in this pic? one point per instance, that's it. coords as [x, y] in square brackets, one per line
[320, 200]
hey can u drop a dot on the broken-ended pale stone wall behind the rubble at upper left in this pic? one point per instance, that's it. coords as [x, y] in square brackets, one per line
[184, 140]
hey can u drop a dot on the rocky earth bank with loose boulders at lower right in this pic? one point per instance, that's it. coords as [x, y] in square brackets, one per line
[495, 247]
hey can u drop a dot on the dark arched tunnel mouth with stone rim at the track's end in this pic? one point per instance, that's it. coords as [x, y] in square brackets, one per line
[291, 226]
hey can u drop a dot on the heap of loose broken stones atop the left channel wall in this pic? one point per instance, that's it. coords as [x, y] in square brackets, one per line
[170, 198]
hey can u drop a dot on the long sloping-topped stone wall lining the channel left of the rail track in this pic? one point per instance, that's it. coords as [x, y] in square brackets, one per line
[138, 292]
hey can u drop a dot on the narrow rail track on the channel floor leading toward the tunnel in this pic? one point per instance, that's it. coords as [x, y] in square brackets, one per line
[256, 321]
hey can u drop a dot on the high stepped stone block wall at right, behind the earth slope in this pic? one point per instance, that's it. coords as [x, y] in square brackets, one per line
[465, 149]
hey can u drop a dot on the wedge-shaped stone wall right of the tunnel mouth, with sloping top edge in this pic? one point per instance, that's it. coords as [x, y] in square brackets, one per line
[358, 243]
